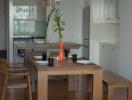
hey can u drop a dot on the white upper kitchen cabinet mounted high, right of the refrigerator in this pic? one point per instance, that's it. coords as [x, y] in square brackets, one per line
[105, 11]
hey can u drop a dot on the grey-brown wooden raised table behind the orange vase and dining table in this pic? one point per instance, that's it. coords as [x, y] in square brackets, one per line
[29, 47]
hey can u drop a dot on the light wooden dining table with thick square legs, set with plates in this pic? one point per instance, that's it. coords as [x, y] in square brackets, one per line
[68, 68]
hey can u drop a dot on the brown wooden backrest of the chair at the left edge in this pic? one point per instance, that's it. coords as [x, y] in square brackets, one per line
[3, 76]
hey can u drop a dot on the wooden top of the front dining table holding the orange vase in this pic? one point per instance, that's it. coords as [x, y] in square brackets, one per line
[66, 67]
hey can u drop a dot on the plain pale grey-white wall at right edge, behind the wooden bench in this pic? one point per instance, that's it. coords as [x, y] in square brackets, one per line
[125, 51]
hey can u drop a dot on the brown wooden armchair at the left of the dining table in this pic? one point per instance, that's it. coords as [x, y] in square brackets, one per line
[13, 78]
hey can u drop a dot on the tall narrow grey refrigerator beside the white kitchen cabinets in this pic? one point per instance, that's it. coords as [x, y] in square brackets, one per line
[86, 32]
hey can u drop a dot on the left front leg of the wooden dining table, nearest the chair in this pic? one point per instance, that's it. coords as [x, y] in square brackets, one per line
[42, 86]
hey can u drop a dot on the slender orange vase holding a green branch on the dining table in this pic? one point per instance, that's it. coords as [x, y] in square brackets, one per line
[61, 52]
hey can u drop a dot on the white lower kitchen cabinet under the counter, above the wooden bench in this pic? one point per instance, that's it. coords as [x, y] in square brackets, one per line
[108, 57]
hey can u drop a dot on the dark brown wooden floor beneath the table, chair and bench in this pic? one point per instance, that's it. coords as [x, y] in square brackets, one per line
[58, 90]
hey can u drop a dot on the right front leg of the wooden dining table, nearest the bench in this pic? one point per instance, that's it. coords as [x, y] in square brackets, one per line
[97, 86]
